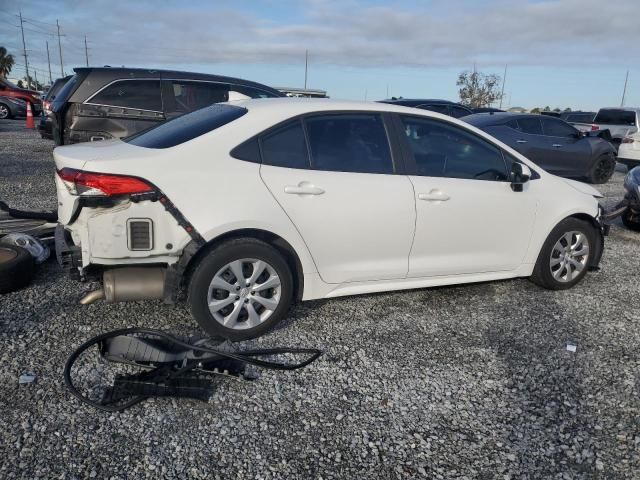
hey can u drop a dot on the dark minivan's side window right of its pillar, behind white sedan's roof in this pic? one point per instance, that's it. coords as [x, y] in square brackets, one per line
[190, 96]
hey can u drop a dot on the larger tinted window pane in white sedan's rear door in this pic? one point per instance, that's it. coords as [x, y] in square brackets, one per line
[349, 143]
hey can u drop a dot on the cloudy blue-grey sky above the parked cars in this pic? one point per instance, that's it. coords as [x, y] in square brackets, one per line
[560, 52]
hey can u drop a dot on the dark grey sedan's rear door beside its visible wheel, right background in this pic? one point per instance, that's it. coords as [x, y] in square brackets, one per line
[569, 152]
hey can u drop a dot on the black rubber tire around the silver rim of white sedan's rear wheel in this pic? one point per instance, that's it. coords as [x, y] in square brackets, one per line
[212, 263]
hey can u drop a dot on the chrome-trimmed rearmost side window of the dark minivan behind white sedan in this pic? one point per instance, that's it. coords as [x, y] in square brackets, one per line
[138, 94]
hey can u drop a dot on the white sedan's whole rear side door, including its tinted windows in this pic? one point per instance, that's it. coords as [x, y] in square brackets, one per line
[341, 190]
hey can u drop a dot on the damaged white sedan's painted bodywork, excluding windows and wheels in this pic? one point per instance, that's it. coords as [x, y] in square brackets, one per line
[366, 233]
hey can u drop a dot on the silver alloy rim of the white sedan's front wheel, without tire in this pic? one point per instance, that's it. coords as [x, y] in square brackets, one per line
[569, 256]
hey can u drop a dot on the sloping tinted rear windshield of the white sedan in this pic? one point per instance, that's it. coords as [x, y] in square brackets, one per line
[186, 127]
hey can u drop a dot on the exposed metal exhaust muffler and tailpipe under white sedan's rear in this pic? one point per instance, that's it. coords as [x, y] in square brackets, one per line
[128, 284]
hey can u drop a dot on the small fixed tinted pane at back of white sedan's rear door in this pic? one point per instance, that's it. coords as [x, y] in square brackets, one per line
[285, 147]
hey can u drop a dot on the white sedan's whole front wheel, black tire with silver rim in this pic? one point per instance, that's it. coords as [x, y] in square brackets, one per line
[566, 255]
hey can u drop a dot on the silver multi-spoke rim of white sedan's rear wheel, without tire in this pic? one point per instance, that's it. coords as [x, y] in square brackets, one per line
[244, 293]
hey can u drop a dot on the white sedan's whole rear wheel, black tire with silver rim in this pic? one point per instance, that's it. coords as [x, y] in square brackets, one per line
[215, 293]
